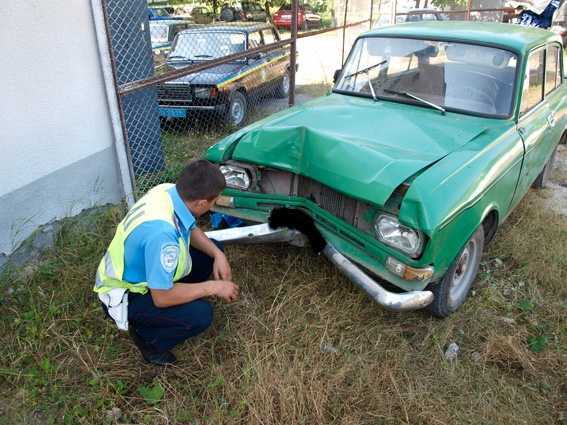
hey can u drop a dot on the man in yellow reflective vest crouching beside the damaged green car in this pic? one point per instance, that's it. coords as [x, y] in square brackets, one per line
[155, 274]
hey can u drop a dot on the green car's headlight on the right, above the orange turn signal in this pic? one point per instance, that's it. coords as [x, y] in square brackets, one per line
[389, 230]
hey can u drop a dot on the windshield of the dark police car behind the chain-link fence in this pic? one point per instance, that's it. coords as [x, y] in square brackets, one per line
[207, 45]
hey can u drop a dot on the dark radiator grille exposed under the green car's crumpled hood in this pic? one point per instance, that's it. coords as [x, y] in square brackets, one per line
[330, 200]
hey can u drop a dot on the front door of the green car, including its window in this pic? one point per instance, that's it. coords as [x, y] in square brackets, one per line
[533, 122]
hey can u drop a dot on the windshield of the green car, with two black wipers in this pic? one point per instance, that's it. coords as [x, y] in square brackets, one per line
[454, 76]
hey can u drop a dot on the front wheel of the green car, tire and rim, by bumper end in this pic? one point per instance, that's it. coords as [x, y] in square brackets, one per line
[453, 289]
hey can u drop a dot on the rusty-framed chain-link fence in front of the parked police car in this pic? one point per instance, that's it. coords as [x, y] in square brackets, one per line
[187, 75]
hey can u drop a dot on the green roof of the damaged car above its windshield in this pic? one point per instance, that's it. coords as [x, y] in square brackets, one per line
[513, 37]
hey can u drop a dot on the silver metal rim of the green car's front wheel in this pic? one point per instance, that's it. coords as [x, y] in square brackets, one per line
[464, 274]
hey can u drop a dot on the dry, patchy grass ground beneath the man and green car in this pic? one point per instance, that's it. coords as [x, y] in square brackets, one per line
[301, 346]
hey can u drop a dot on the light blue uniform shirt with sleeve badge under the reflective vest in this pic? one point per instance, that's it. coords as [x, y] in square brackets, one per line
[151, 251]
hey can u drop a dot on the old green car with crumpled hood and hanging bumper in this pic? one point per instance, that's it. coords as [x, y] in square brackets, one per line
[432, 134]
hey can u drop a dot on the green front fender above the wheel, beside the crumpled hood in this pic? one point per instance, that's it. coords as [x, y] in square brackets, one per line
[451, 199]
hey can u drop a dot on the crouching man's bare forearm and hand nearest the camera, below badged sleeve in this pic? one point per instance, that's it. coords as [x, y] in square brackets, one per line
[182, 293]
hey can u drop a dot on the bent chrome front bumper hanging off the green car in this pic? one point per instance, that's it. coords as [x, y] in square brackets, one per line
[406, 301]
